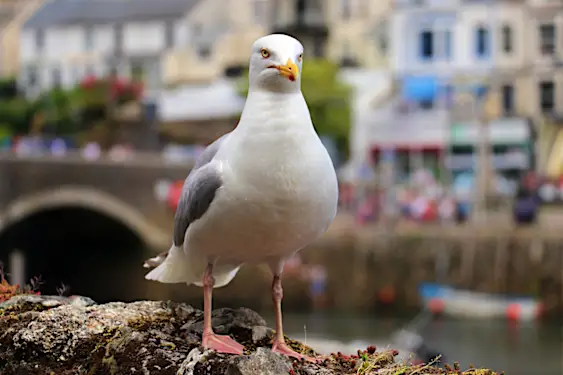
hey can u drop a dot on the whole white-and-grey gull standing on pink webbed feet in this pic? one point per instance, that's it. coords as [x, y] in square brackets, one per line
[257, 195]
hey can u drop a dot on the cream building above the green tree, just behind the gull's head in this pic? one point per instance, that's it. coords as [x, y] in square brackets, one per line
[351, 32]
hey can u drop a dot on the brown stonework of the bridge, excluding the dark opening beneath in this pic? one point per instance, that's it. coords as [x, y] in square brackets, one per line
[121, 190]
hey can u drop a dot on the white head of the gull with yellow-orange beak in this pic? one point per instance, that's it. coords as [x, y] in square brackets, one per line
[276, 63]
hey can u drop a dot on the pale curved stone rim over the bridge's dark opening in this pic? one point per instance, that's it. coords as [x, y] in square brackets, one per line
[86, 198]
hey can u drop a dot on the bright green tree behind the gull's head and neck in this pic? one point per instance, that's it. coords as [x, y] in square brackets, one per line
[328, 99]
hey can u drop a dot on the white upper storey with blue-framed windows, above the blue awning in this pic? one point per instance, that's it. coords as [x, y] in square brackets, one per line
[455, 37]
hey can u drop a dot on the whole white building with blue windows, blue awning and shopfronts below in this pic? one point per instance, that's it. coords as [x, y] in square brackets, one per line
[437, 46]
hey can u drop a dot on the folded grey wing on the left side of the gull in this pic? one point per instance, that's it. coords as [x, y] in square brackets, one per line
[197, 194]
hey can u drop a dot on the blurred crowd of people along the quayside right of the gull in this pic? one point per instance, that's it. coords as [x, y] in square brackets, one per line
[421, 198]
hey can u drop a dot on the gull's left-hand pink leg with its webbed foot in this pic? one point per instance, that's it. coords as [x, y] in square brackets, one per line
[210, 340]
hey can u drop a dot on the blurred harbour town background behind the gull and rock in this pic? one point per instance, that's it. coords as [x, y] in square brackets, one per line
[444, 120]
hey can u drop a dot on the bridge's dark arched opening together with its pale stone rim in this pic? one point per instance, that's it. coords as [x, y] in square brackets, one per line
[80, 237]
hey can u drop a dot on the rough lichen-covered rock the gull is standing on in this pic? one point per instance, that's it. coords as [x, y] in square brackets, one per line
[47, 335]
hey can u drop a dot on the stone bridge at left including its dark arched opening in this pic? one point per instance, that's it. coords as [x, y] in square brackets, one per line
[72, 220]
